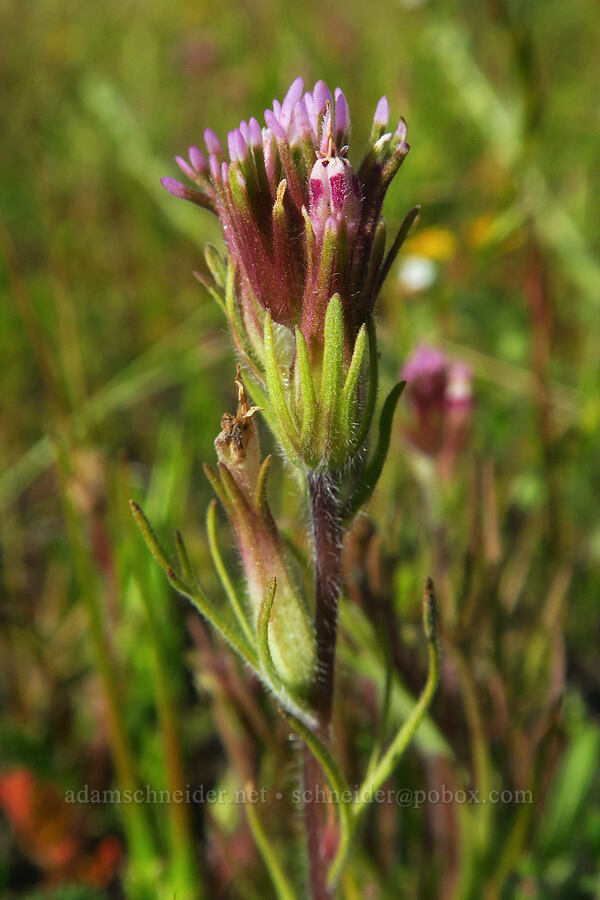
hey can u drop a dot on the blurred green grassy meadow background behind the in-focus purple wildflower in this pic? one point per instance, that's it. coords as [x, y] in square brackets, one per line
[116, 371]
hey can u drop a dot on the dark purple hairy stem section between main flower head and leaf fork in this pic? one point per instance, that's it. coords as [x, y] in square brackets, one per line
[327, 534]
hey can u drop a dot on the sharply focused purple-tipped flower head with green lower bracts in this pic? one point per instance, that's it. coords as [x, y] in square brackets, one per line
[306, 260]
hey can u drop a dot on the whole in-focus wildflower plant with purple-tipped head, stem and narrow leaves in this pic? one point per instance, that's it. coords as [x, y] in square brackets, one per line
[305, 259]
